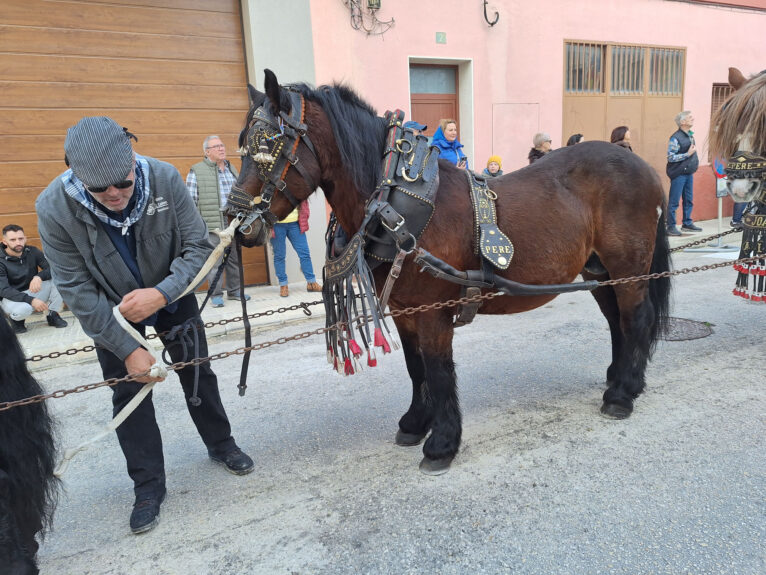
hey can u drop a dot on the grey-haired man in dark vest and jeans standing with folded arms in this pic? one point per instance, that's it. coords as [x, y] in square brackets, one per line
[682, 163]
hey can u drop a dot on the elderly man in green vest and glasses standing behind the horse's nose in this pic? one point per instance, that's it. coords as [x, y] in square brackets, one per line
[209, 183]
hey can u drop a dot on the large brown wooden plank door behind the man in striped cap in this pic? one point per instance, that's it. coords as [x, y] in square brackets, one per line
[172, 71]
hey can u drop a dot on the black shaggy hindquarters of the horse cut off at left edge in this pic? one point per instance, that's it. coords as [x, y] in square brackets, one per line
[28, 489]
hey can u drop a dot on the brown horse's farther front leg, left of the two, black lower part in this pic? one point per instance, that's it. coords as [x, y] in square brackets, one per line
[414, 425]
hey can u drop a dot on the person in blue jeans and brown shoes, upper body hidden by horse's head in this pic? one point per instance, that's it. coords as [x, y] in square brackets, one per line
[293, 227]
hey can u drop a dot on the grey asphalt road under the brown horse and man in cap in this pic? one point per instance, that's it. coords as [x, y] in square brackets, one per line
[543, 484]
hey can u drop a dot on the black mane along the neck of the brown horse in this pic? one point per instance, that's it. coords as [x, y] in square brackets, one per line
[359, 132]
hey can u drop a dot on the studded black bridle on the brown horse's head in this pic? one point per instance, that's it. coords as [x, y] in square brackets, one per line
[272, 143]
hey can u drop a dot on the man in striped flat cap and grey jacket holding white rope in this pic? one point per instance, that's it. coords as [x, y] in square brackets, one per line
[120, 229]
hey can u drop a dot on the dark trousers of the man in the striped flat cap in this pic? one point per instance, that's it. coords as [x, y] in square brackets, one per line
[139, 434]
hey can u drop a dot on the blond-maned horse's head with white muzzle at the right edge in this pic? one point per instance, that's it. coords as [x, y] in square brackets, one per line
[738, 133]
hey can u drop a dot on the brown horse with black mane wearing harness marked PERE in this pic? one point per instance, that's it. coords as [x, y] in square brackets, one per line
[594, 200]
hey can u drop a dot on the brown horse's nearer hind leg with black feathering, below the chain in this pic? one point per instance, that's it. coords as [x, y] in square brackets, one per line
[637, 318]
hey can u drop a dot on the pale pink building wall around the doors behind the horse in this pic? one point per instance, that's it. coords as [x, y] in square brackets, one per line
[517, 65]
